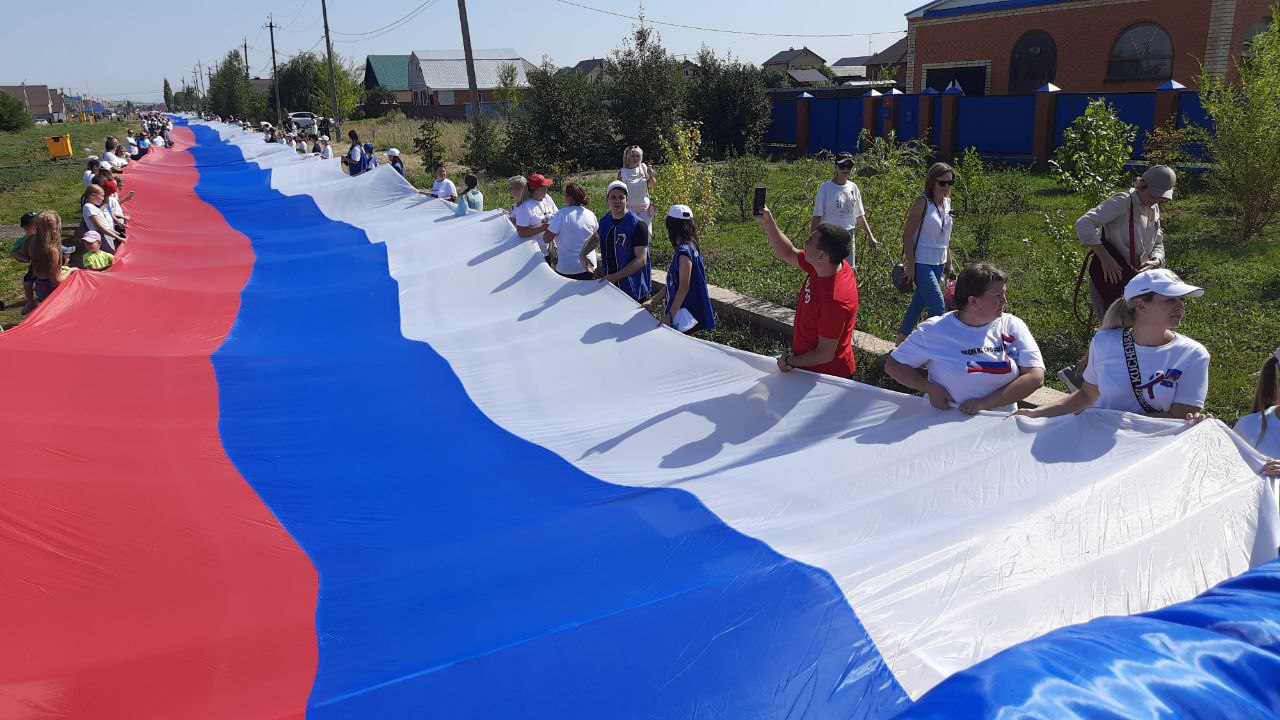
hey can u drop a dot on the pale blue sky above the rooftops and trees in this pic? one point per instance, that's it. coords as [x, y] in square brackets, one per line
[139, 61]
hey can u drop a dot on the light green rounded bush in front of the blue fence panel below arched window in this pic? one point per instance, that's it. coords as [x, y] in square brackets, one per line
[1094, 153]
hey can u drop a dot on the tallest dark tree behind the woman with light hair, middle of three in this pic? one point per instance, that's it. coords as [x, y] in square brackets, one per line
[646, 88]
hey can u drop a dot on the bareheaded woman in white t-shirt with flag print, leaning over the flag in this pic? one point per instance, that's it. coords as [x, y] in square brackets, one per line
[979, 357]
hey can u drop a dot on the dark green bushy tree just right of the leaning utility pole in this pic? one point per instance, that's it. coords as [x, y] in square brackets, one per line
[563, 124]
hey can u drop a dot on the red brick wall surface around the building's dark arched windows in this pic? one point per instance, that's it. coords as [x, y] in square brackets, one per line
[1085, 34]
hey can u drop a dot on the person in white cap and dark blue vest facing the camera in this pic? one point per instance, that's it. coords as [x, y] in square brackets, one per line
[624, 241]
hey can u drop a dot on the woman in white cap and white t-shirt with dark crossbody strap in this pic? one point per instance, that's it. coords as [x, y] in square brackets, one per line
[1137, 362]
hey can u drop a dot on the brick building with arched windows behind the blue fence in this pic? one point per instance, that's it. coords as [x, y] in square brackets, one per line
[1014, 47]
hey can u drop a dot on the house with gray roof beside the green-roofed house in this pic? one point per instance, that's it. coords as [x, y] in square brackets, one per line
[438, 80]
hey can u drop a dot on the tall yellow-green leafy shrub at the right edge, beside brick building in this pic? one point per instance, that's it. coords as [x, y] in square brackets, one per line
[1246, 138]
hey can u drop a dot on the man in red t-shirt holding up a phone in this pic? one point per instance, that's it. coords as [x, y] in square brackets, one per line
[828, 307]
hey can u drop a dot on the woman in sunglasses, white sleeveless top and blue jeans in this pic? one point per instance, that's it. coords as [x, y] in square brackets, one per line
[927, 247]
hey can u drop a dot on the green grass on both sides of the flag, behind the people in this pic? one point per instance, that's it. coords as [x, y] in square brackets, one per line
[1034, 240]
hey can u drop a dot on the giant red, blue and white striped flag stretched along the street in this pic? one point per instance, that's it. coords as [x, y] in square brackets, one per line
[316, 448]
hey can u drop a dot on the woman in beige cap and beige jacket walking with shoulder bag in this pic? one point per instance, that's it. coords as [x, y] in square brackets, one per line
[1124, 238]
